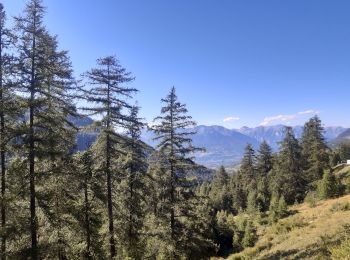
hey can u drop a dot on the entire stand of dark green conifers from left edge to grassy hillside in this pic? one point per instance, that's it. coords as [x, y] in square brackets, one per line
[120, 198]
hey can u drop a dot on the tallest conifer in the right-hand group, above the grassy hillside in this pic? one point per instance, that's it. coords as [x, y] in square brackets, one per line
[314, 150]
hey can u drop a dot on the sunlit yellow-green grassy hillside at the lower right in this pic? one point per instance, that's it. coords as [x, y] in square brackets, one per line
[307, 234]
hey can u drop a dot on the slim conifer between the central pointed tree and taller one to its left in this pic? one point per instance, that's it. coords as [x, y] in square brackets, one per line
[132, 188]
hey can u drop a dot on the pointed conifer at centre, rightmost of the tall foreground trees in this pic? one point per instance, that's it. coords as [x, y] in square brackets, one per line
[175, 146]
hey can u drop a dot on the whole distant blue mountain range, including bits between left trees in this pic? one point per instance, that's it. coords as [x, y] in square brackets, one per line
[226, 146]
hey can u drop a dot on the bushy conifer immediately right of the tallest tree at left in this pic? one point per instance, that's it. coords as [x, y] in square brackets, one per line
[57, 140]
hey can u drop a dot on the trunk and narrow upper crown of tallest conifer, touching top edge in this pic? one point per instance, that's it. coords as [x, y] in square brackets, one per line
[31, 29]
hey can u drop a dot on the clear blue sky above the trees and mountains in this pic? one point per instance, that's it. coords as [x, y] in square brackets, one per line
[248, 59]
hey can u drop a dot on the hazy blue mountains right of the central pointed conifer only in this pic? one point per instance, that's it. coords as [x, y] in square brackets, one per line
[226, 146]
